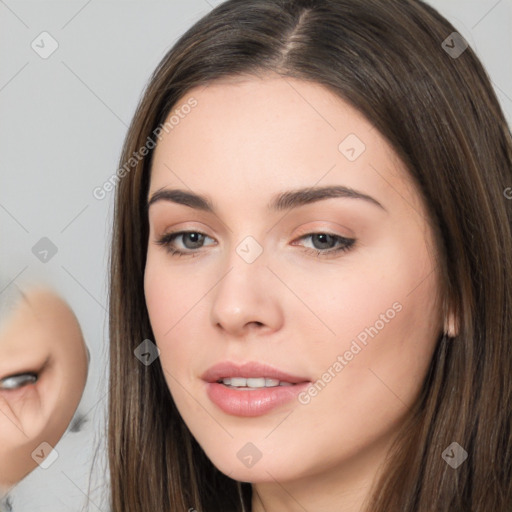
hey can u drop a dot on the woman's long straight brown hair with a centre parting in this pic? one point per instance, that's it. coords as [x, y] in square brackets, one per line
[440, 114]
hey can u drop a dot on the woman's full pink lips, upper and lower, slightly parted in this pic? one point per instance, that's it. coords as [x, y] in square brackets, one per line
[250, 402]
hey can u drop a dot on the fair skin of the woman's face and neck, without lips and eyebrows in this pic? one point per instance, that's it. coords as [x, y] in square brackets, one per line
[247, 140]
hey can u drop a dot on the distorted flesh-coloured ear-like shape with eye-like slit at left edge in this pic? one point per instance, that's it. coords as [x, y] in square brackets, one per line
[41, 337]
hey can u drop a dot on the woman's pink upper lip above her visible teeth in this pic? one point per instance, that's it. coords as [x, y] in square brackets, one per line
[249, 369]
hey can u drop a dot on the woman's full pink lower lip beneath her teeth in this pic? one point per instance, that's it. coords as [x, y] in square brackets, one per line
[252, 402]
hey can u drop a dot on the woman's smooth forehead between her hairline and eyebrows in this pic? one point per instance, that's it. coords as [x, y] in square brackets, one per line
[271, 133]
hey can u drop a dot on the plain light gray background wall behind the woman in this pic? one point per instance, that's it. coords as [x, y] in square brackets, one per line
[63, 120]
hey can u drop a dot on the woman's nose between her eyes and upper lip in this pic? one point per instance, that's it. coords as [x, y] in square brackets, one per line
[246, 299]
